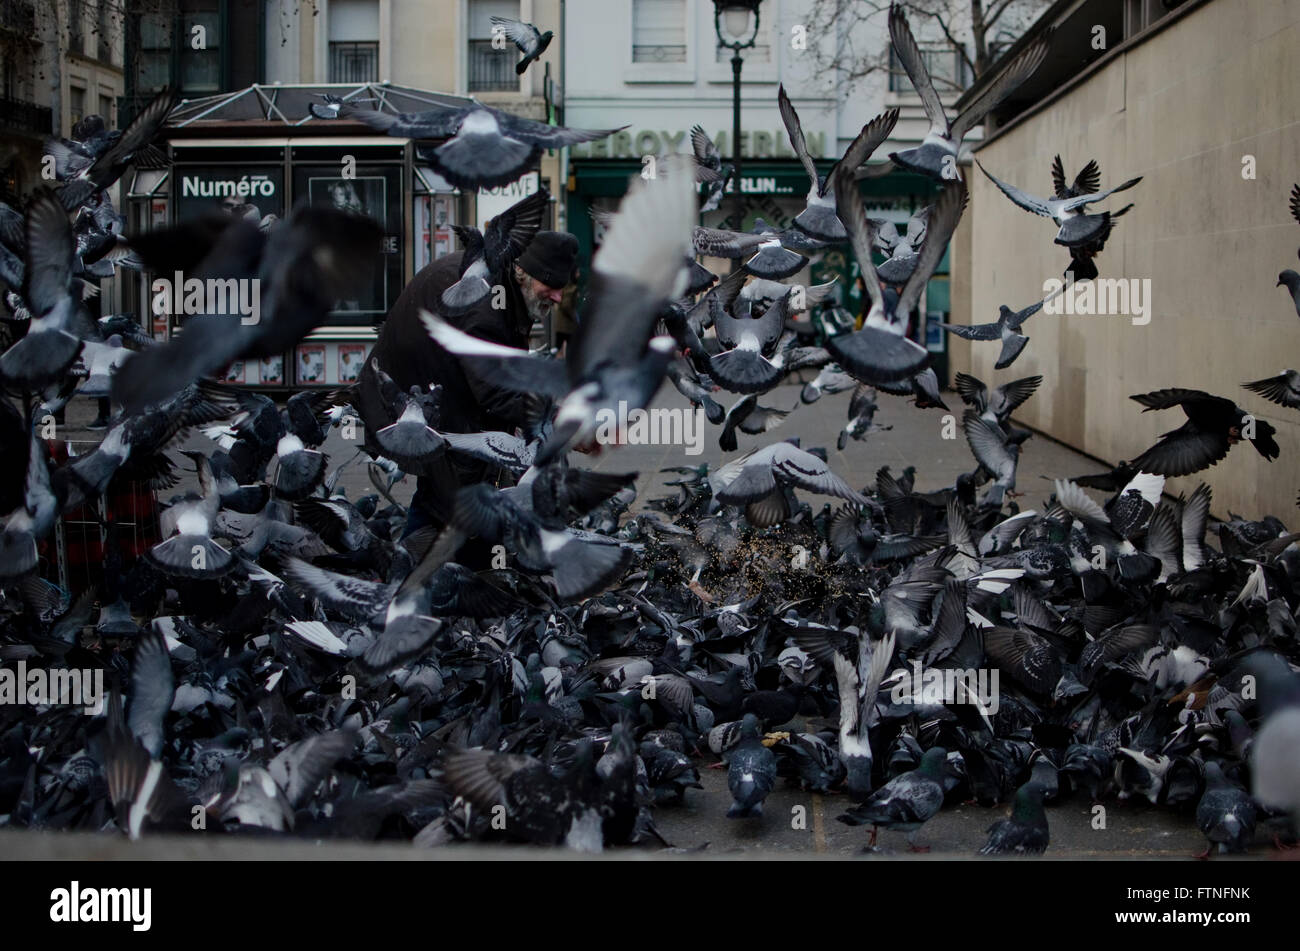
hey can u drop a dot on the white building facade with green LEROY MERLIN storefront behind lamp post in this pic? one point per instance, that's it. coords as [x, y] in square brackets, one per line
[657, 68]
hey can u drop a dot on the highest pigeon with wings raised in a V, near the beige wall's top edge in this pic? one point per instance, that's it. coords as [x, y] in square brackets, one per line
[937, 157]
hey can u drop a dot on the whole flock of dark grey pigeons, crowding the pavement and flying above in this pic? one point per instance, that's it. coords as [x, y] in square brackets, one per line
[553, 665]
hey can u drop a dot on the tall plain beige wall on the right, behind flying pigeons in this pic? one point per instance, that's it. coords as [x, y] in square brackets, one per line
[1201, 101]
